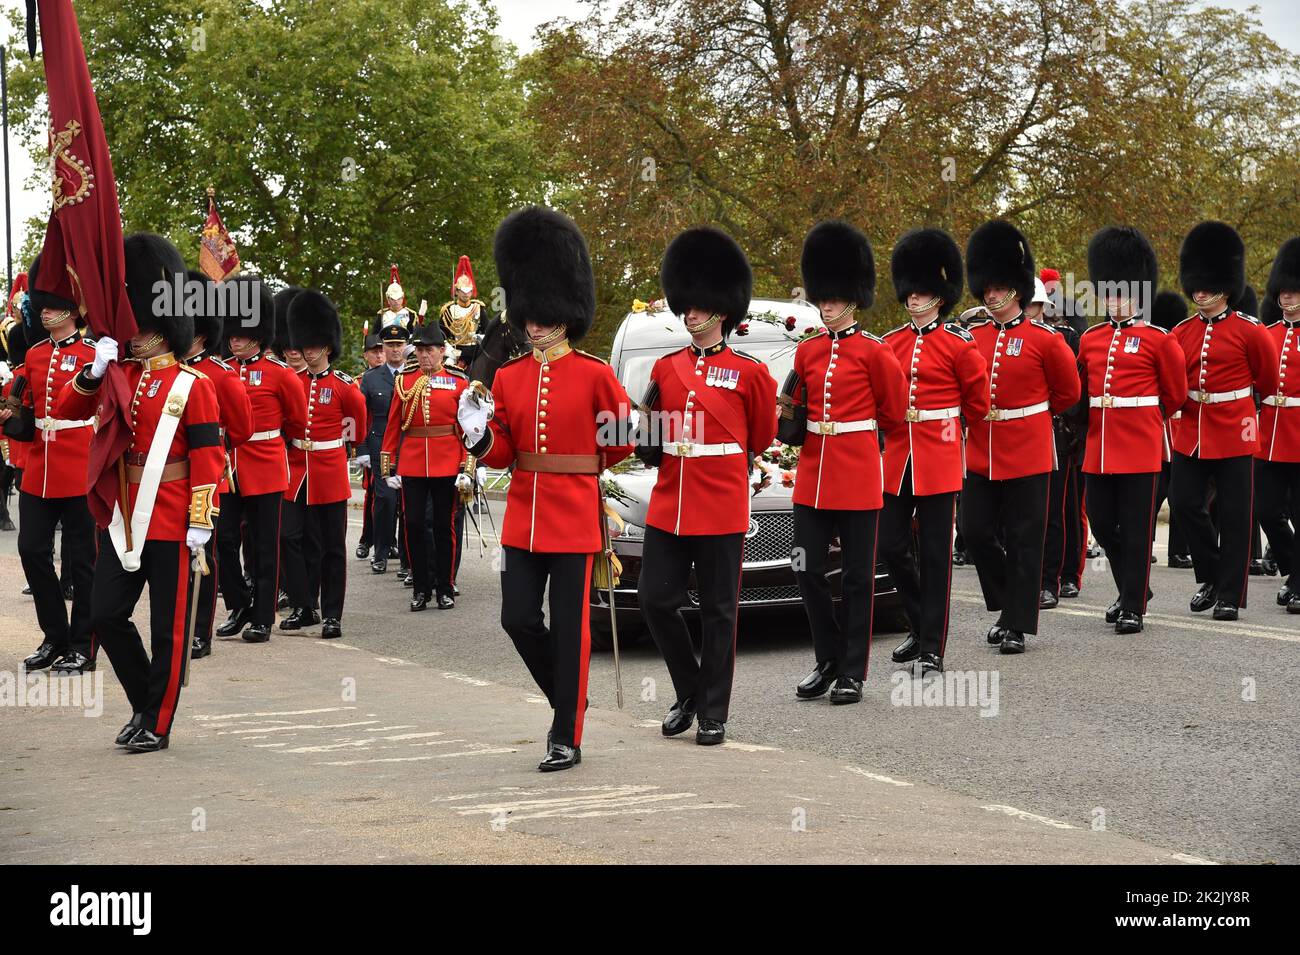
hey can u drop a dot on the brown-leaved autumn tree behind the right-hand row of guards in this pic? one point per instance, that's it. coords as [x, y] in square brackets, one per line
[765, 116]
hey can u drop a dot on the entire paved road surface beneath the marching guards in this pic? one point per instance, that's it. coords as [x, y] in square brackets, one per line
[1178, 745]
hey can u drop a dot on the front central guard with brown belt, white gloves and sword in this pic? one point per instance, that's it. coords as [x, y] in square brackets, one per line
[560, 416]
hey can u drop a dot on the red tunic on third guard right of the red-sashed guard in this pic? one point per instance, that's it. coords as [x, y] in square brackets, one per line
[1029, 364]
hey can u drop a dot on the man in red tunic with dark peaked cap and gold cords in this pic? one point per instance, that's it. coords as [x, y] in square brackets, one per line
[423, 458]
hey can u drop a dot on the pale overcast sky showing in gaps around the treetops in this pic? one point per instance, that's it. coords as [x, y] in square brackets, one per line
[519, 20]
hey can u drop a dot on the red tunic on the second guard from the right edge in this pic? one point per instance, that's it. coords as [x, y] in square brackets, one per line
[1228, 354]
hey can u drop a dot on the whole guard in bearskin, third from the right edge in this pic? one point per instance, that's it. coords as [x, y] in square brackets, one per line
[1133, 376]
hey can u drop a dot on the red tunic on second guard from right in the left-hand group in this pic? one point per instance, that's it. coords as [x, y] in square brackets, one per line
[279, 407]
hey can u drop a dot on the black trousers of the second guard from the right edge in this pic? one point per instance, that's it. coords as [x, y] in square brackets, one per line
[1220, 558]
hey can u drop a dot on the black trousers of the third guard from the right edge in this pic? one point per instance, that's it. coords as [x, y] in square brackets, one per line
[1120, 510]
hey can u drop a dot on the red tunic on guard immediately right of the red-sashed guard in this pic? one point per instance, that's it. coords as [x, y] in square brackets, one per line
[847, 377]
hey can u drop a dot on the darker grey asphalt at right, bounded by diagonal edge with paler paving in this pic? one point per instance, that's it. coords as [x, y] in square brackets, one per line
[1149, 736]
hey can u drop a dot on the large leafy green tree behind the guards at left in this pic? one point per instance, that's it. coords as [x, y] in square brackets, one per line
[340, 137]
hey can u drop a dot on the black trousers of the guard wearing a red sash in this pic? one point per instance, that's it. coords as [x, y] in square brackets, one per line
[666, 565]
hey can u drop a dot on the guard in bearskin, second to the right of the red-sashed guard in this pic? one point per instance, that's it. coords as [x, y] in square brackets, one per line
[925, 458]
